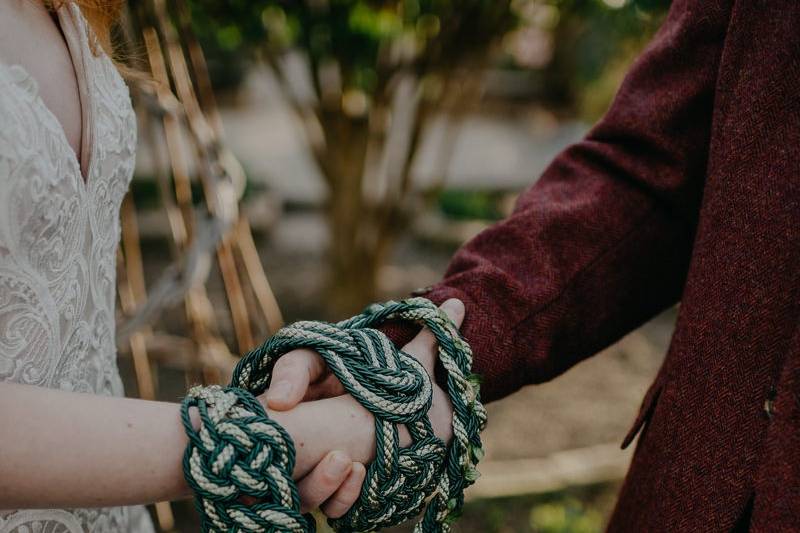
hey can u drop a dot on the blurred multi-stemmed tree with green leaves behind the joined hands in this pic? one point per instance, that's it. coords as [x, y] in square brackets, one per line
[374, 72]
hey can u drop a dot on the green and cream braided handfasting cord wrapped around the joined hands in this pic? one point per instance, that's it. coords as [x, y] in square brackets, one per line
[395, 388]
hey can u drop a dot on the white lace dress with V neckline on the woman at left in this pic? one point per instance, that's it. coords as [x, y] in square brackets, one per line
[58, 243]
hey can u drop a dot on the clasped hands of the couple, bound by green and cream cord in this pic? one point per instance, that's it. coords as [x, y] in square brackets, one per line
[334, 435]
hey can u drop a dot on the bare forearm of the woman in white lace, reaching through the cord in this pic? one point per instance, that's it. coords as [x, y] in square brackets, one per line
[64, 449]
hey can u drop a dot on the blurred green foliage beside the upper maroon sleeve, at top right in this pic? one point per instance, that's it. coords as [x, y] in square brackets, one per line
[580, 49]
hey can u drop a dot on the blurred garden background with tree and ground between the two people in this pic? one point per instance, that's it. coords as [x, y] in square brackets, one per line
[373, 138]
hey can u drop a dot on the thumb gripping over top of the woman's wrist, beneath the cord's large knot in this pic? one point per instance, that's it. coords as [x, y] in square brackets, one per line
[291, 378]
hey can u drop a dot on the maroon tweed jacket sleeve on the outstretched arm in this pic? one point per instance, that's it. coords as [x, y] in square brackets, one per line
[602, 241]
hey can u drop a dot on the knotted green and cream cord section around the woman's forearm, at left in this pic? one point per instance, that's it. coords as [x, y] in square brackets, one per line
[239, 452]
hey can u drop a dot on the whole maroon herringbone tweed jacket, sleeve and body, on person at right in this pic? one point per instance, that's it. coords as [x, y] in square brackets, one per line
[688, 190]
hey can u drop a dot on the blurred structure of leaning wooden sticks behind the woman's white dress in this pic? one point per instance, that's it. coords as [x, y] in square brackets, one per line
[176, 109]
